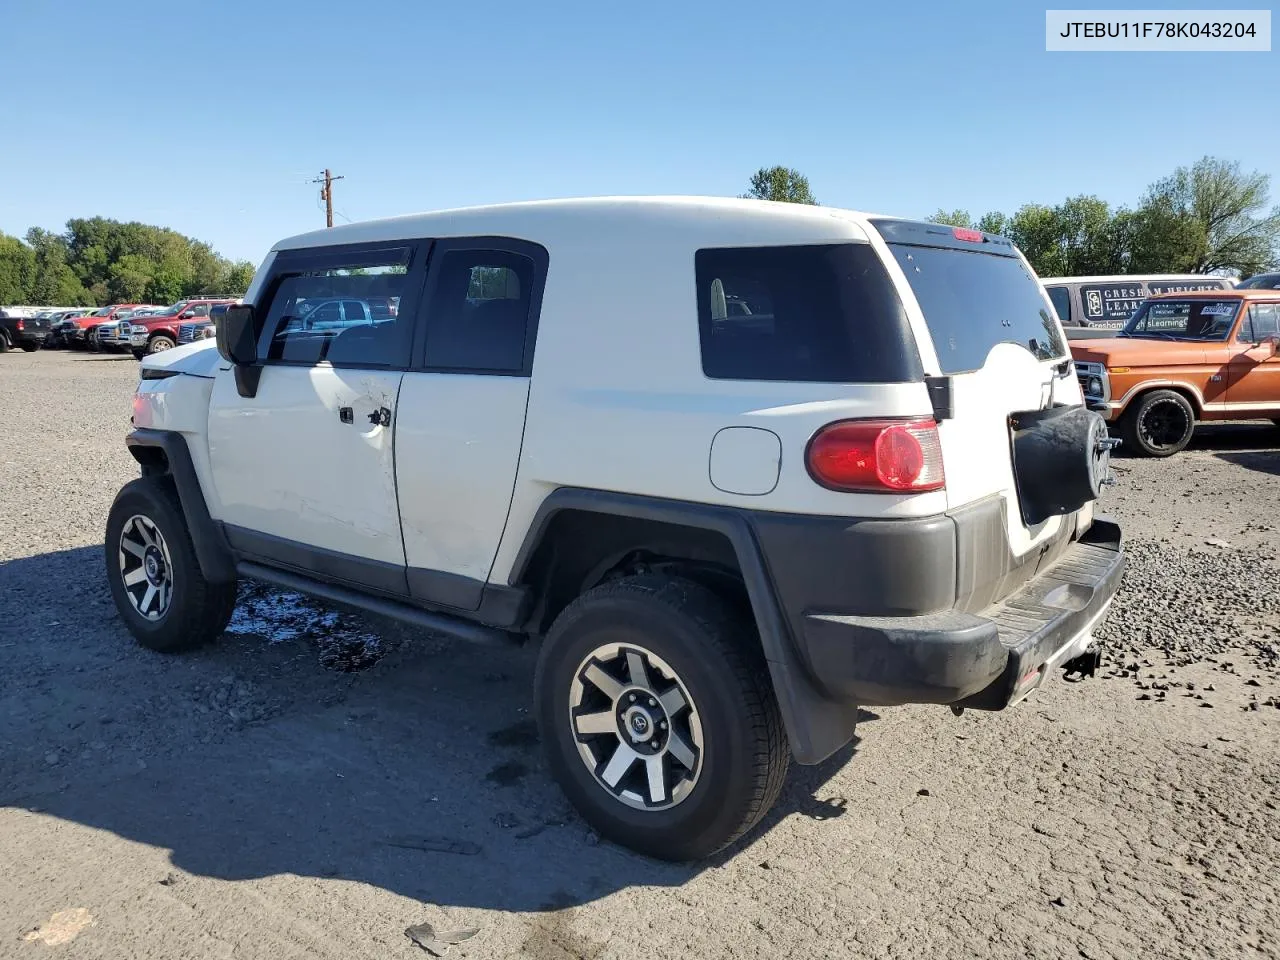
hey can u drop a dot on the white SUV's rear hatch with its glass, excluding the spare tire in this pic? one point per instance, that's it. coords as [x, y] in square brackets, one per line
[1000, 351]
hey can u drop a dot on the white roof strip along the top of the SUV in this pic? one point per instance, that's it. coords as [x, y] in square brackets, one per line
[540, 221]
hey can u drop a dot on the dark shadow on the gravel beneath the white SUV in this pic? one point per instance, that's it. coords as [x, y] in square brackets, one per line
[420, 775]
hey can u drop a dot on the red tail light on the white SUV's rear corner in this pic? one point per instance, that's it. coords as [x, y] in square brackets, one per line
[877, 456]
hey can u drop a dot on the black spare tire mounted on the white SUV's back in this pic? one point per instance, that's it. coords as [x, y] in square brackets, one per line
[1062, 460]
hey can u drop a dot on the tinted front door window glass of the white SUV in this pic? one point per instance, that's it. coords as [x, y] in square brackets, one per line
[323, 312]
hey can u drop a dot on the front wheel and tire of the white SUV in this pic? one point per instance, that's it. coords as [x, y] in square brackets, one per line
[154, 575]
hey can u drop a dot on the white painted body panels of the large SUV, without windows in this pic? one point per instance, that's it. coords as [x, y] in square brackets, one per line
[618, 401]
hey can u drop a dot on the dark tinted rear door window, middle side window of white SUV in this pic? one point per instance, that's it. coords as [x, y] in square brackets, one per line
[479, 312]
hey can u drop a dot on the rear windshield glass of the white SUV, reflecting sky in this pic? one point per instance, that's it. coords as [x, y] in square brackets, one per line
[975, 301]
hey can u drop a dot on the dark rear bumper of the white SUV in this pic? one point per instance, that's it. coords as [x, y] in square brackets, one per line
[986, 660]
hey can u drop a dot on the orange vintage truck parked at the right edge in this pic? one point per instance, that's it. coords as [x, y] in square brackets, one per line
[1185, 358]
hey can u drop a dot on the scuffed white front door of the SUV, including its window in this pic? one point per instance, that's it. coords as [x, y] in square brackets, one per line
[305, 470]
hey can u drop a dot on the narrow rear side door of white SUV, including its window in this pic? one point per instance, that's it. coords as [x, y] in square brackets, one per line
[458, 451]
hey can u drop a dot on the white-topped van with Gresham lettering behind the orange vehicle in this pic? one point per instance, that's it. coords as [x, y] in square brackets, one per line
[1099, 307]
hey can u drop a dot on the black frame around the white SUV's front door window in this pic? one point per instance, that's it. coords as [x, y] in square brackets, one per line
[294, 263]
